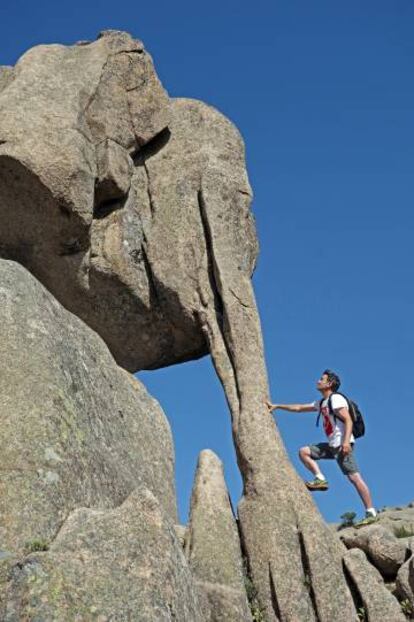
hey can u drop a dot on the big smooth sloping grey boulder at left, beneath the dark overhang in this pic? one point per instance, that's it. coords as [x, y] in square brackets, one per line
[76, 429]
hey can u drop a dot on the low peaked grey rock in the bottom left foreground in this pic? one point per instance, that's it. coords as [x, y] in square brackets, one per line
[121, 564]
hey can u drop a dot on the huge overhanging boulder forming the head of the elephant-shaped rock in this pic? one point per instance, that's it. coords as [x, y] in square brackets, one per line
[100, 181]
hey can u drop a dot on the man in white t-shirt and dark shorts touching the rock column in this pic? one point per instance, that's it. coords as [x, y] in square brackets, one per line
[338, 429]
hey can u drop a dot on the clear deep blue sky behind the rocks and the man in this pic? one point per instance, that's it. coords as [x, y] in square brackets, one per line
[323, 93]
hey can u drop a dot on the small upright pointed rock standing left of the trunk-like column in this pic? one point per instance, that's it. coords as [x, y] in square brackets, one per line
[213, 547]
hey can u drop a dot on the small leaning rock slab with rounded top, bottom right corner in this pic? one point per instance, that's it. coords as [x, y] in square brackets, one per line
[377, 601]
